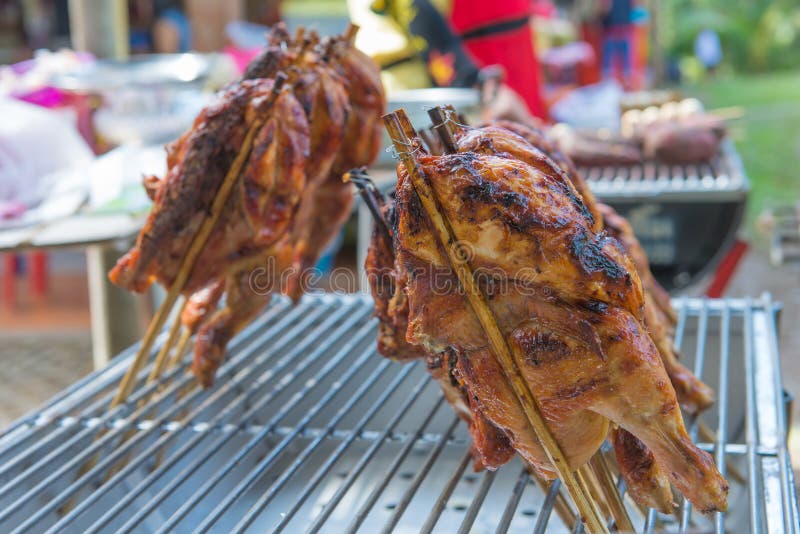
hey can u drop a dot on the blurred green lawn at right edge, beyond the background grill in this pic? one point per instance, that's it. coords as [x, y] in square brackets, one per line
[767, 136]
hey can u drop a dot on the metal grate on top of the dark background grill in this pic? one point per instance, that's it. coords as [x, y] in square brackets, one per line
[720, 177]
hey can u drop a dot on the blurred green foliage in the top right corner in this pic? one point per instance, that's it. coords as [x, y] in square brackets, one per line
[756, 35]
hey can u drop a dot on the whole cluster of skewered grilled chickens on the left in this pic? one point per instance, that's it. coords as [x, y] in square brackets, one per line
[289, 201]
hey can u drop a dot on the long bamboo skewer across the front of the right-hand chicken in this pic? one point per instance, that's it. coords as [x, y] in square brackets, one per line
[575, 486]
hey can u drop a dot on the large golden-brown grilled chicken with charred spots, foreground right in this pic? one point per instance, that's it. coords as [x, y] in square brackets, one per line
[569, 301]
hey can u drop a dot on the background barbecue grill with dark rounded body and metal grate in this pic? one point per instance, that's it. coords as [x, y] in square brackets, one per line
[685, 216]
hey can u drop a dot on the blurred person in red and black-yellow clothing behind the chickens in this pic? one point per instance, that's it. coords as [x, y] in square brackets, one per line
[463, 44]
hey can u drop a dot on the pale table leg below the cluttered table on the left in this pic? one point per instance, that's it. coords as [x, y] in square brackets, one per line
[115, 313]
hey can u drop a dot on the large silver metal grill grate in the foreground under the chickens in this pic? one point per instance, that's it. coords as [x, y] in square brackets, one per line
[308, 428]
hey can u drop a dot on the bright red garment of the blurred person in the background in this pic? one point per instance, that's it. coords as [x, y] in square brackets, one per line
[512, 48]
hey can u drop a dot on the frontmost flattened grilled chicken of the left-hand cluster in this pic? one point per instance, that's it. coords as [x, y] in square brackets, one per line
[261, 207]
